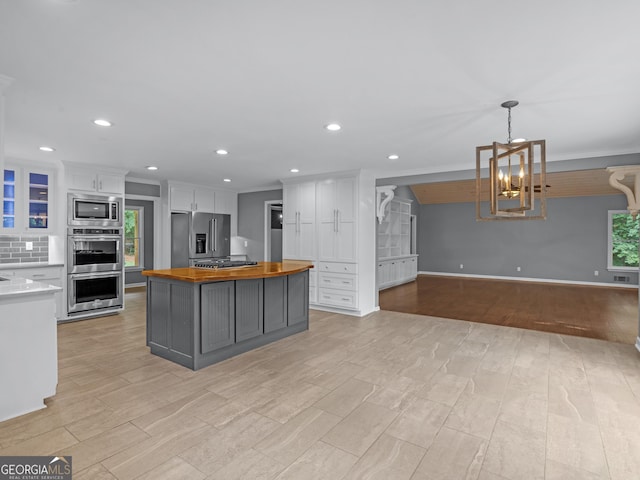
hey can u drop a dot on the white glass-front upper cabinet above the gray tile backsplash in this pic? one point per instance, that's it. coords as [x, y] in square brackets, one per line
[26, 199]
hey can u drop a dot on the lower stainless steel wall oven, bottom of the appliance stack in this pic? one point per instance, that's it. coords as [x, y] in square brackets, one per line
[94, 291]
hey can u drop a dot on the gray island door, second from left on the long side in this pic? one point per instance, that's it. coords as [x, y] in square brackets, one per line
[249, 308]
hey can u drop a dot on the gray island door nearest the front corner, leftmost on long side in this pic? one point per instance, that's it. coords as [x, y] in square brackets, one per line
[217, 315]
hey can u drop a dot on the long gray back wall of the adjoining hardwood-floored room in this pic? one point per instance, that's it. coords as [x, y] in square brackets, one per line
[569, 245]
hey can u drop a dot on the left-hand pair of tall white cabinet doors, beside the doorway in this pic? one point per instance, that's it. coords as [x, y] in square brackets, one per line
[299, 211]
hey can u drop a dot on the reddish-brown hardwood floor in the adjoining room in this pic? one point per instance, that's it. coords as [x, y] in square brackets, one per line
[586, 311]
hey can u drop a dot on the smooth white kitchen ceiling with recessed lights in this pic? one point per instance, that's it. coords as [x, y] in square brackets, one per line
[420, 78]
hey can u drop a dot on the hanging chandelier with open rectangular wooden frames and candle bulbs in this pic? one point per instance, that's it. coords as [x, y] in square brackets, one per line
[513, 169]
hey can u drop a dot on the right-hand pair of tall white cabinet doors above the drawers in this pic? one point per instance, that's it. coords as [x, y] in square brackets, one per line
[337, 213]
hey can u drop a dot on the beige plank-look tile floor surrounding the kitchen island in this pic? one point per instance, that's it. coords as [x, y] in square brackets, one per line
[388, 396]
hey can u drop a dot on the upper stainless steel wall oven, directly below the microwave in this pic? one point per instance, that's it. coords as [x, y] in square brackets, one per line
[94, 249]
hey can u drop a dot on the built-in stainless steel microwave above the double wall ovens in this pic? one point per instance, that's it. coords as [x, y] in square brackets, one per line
[94, 210]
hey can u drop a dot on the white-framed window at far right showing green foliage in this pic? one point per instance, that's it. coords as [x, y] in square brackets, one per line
[623, 241]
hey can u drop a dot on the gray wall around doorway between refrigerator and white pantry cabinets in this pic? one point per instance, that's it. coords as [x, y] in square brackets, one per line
[251, 220]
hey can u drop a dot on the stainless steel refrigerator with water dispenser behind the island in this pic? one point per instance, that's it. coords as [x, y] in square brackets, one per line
[198, 236]
